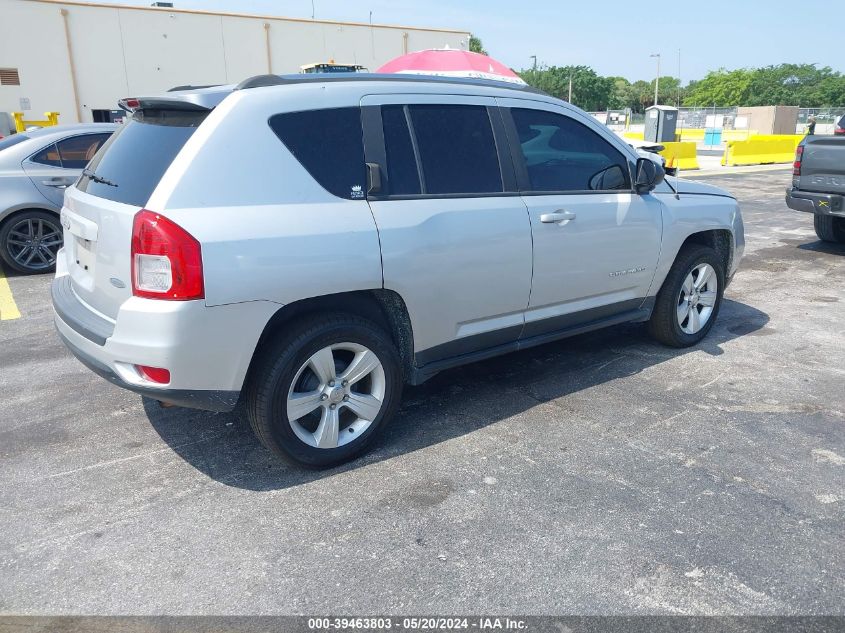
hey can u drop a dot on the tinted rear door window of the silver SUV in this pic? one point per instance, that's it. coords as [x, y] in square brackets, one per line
[456, 147]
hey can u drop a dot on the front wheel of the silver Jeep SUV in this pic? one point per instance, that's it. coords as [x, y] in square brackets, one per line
[689, 301]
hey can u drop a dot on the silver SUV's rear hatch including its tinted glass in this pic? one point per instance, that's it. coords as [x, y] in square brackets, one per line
[99, 210]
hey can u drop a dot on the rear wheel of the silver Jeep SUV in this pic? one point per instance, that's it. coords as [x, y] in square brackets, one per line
[319, 395]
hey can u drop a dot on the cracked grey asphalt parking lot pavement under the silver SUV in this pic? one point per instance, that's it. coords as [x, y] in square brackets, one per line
[601, 474]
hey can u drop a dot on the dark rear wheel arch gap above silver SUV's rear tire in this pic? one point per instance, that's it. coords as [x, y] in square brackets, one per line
[386, 308]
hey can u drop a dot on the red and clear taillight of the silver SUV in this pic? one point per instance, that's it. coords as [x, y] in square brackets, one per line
[166, 260]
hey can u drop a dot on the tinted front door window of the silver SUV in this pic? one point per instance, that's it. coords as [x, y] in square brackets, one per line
[564, 155]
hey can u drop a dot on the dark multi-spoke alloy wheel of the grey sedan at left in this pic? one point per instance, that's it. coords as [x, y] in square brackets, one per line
[29, 241]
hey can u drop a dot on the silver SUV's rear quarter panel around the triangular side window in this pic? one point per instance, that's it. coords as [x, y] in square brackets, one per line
[268, 230]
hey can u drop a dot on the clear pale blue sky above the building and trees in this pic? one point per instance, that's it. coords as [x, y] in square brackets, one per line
[612, 36]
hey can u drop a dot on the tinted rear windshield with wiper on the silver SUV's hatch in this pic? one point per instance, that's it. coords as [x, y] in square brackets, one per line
[135, 158]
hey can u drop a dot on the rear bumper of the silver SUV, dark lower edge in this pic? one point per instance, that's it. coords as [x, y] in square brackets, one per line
[206, 349]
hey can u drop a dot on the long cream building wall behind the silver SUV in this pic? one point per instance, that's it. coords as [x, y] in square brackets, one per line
[120, 51]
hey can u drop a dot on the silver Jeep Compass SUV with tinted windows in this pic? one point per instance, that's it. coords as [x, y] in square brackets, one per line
[307, 245]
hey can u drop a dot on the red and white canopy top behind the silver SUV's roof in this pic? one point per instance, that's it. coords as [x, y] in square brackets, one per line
[449, 62]
